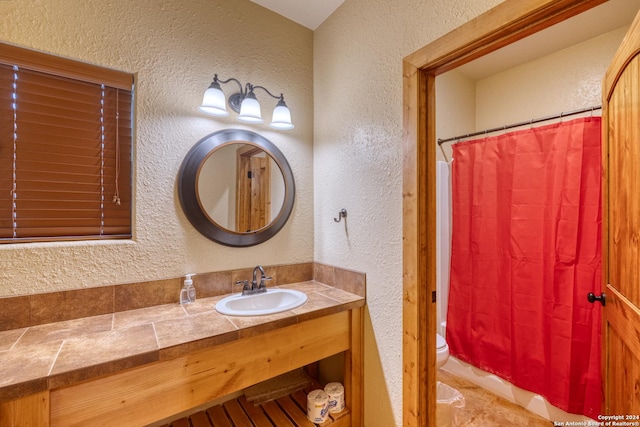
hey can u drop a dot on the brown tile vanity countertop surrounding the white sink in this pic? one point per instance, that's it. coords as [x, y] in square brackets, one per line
[65, 353]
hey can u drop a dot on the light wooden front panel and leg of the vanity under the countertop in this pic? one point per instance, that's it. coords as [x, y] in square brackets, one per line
[159, 390]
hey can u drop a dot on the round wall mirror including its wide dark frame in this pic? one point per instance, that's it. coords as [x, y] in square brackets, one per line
[236, 188]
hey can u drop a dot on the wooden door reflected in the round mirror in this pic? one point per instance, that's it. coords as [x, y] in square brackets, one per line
[253, 186]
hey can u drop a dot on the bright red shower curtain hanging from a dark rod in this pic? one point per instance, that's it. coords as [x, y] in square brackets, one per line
[525, 253]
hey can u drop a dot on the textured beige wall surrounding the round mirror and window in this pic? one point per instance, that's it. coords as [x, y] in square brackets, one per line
[174, 47]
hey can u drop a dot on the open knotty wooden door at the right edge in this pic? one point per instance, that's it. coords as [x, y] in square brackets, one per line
[621, 230]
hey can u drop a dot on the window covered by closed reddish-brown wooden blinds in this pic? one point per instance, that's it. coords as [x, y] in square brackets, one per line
[65, 149]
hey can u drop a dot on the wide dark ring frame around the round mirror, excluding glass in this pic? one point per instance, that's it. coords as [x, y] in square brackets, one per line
[188, 188]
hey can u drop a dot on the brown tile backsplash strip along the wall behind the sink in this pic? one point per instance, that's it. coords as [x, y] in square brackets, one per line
[37, 309]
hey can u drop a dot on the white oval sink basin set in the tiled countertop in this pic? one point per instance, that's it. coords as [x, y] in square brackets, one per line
[270, 302]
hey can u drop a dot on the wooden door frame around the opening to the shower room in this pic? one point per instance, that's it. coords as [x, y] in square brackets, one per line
[506, 23]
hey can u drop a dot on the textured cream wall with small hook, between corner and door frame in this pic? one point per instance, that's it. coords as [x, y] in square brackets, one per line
[358, 55]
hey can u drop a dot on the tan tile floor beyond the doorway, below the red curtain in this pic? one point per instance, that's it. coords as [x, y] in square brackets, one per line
[484, 409]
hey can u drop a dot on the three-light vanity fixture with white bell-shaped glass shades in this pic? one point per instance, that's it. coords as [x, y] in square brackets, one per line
[245, 103]
